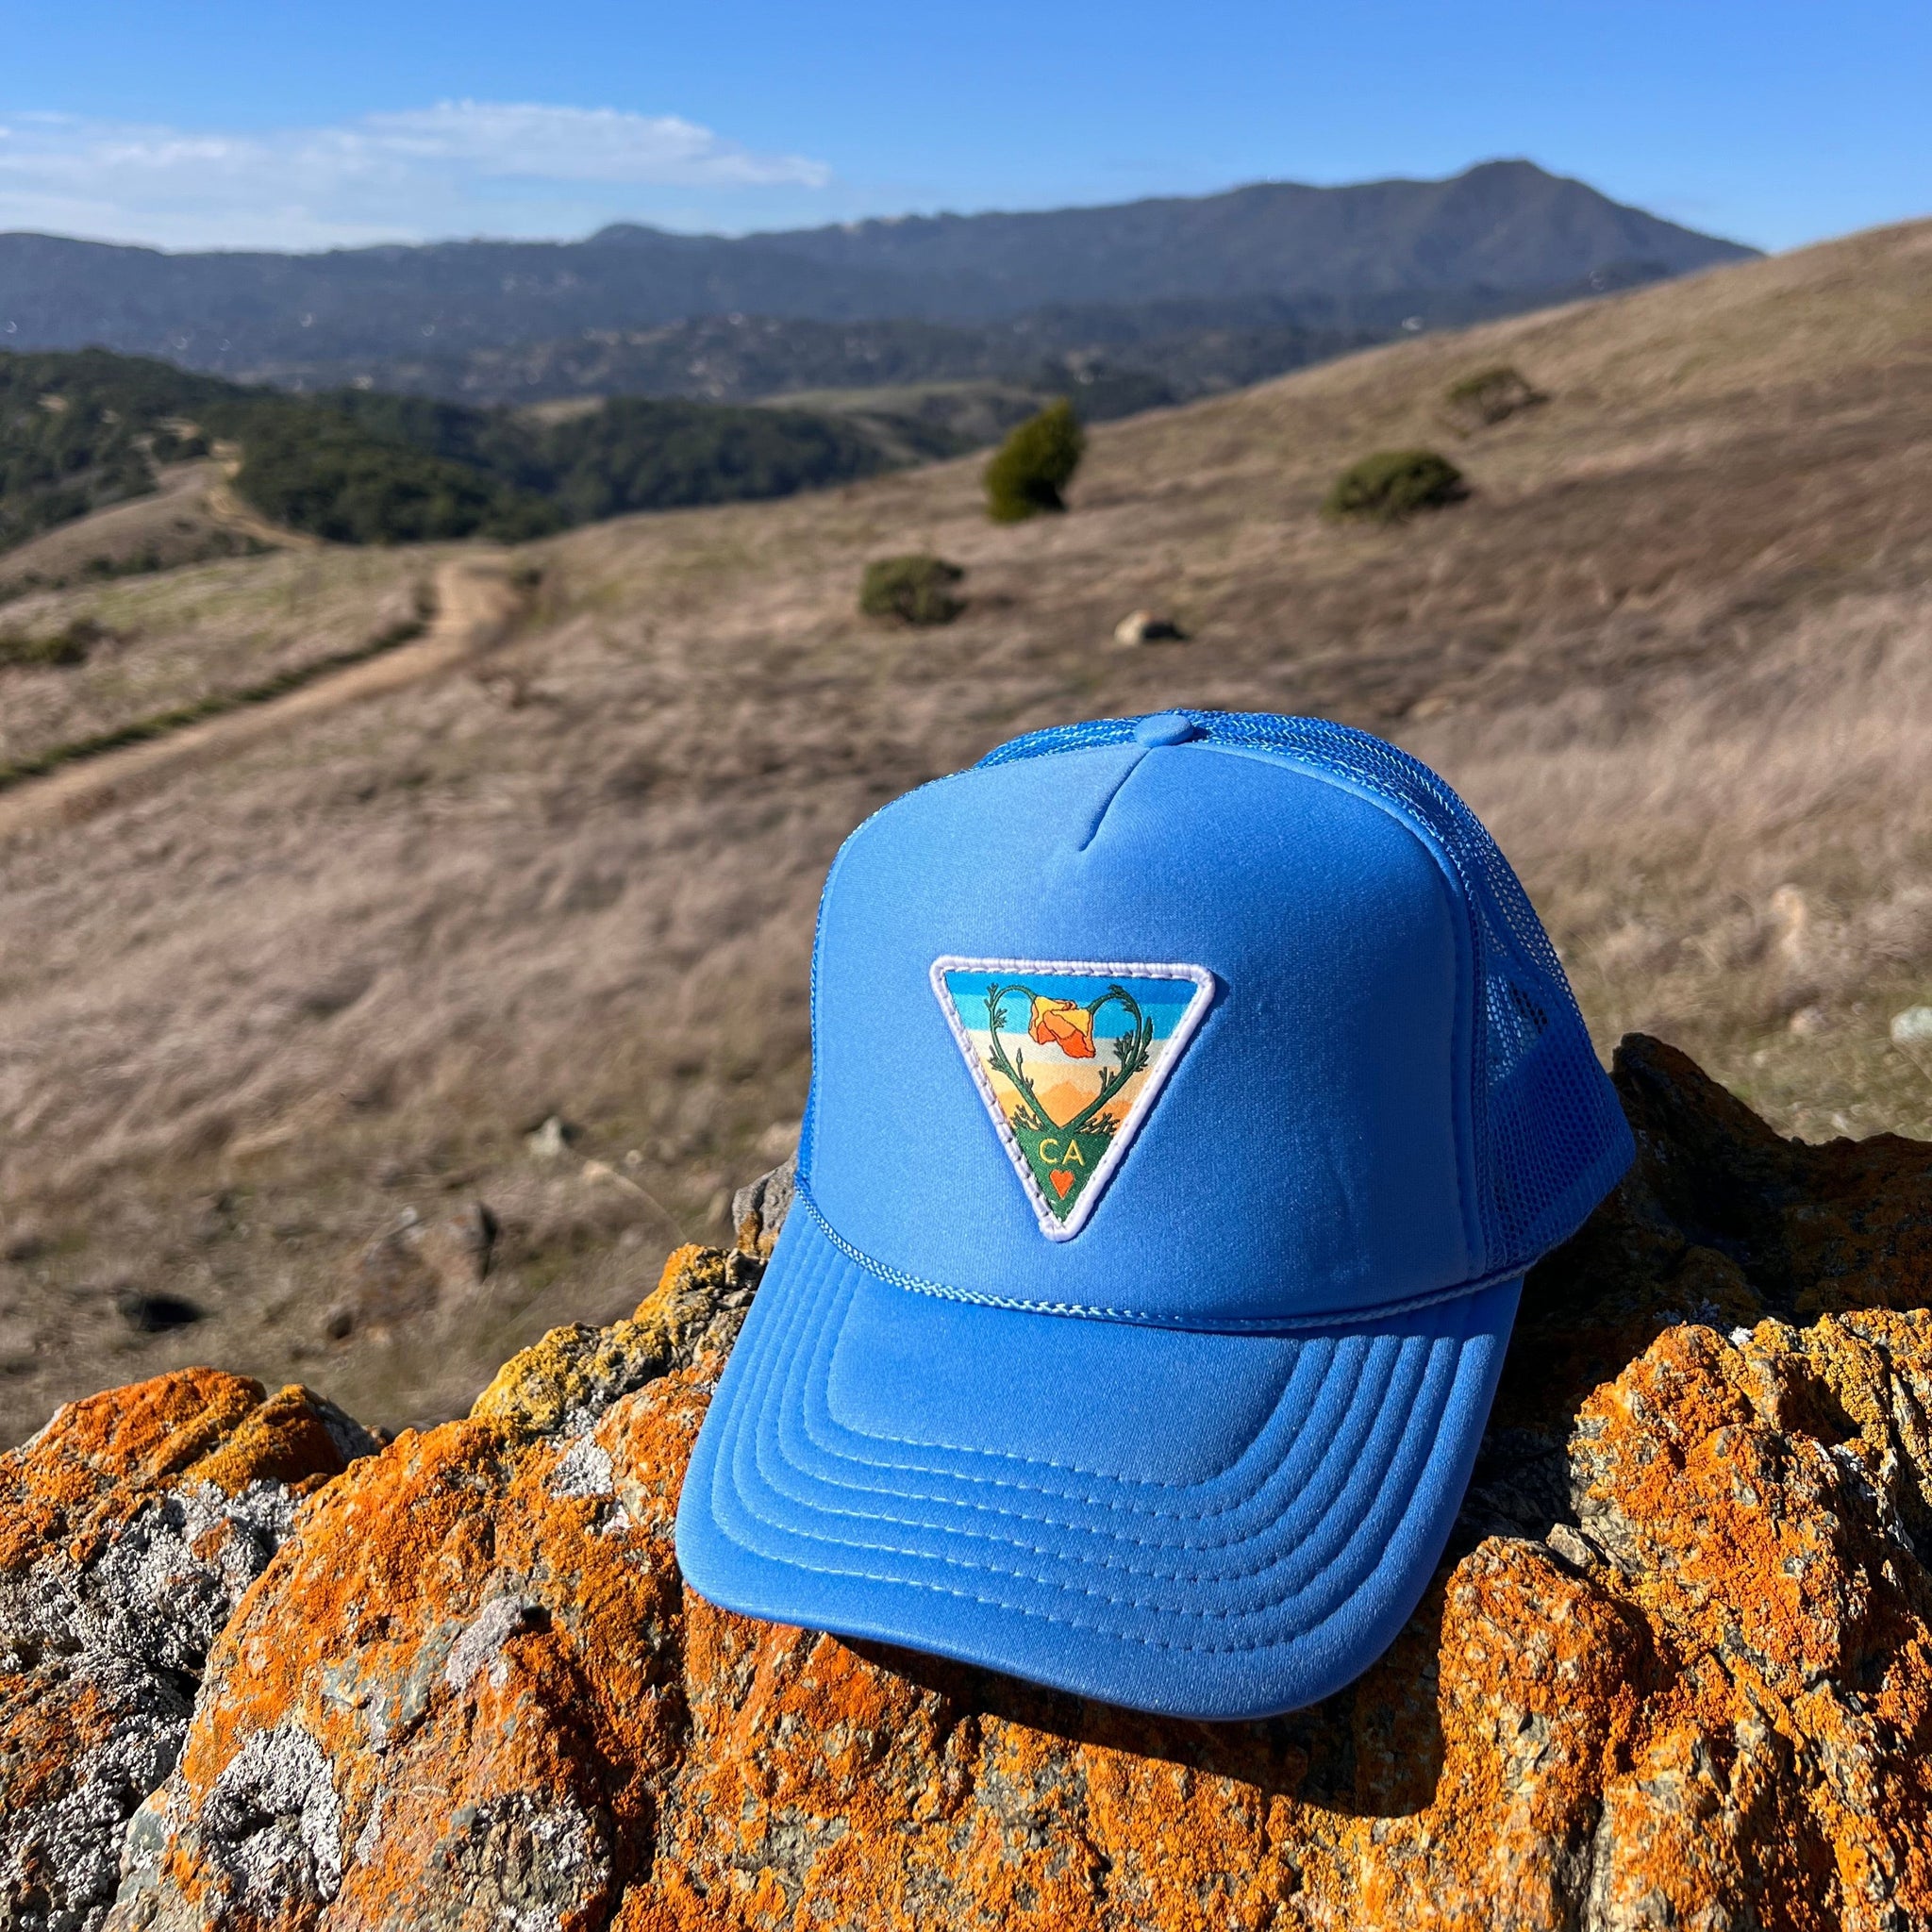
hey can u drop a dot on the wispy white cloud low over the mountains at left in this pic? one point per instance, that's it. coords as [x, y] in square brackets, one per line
[461, 167]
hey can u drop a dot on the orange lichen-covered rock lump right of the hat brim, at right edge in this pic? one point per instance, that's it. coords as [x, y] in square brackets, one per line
[1788, 1763]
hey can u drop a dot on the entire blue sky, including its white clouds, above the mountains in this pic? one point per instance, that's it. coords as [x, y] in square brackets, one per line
[304, 127]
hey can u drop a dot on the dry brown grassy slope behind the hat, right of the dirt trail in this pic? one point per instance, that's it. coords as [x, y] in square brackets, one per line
[1676, 646]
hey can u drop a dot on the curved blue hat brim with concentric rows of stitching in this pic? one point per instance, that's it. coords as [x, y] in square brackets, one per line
[1199, 1525]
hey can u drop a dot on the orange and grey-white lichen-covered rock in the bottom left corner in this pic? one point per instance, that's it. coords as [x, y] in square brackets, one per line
[128, 1531]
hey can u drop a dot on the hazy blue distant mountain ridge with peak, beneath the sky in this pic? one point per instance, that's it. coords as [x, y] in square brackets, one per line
[1506, 229]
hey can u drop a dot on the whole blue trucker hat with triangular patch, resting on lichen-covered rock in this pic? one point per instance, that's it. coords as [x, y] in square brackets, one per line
[1189, 1098]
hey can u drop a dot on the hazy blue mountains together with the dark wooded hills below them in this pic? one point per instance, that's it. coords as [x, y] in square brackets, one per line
[403, 393]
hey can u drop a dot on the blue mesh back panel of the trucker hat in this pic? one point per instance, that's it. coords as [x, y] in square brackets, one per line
[1550, 1137]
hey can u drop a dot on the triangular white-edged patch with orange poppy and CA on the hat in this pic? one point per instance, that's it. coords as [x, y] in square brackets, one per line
[1069, 1060]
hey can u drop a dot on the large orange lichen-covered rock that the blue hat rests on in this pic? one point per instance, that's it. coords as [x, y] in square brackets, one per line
[1541, 1740]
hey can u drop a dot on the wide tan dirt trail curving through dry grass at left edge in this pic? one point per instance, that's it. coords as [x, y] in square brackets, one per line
[476, 604]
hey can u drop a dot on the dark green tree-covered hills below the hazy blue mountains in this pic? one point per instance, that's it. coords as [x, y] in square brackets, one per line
[86, 432]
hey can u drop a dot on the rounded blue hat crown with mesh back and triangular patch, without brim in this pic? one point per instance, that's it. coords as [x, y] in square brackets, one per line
[1361, 1077]
